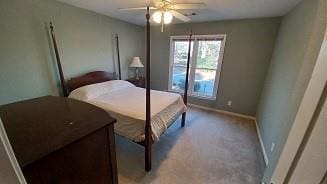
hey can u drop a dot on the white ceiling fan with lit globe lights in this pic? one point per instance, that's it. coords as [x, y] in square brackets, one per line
[166, 10]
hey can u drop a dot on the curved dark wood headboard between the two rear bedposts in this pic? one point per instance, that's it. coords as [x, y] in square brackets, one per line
[89, 78]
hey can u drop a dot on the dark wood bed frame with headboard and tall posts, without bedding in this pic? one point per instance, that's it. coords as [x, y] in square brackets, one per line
[102, 76]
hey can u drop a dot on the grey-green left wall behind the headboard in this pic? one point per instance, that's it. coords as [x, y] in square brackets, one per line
[85, 39]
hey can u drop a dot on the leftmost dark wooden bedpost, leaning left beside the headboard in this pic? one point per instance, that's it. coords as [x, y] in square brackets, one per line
[61, 74]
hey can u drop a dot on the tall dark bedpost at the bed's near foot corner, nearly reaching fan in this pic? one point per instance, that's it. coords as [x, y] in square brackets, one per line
[148, 131]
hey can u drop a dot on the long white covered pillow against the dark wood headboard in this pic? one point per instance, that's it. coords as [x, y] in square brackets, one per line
[94, 90]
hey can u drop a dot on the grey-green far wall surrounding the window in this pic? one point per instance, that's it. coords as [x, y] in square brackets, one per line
[248, 51]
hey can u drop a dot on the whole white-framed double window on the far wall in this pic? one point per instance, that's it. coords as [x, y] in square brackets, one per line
[205, 64]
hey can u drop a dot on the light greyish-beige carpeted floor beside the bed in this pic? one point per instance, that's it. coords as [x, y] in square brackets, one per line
[211, 148]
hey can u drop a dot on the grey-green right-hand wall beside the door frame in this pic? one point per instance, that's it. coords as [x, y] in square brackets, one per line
[294, 57]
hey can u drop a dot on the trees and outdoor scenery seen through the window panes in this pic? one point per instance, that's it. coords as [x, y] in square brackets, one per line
[205, 69]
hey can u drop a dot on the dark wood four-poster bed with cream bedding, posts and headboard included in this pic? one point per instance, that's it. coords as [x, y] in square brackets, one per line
[161, 108]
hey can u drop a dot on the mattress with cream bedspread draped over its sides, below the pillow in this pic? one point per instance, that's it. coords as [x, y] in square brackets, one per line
[127, 105]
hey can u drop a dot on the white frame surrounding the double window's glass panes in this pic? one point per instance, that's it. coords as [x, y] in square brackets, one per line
[193, 61]
